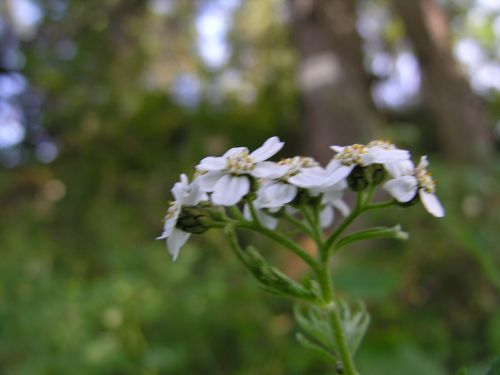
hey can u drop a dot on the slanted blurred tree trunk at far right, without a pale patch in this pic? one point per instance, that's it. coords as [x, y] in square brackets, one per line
[463, 124]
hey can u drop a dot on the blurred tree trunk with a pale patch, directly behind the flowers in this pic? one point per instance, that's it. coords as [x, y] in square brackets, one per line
[337, 104]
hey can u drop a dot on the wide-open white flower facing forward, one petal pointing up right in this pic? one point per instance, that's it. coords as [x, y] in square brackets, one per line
[227, 177]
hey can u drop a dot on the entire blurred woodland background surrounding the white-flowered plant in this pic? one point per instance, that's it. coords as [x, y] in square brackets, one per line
[103, 103]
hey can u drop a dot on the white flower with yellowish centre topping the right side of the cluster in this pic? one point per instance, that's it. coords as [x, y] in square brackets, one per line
[348, 157]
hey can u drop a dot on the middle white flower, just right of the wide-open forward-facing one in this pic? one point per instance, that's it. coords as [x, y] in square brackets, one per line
[277, 193]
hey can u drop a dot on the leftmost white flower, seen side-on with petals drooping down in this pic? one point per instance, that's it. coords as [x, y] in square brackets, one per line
[185, 194]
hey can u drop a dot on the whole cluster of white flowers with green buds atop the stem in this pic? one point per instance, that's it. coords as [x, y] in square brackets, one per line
[270, 190]
